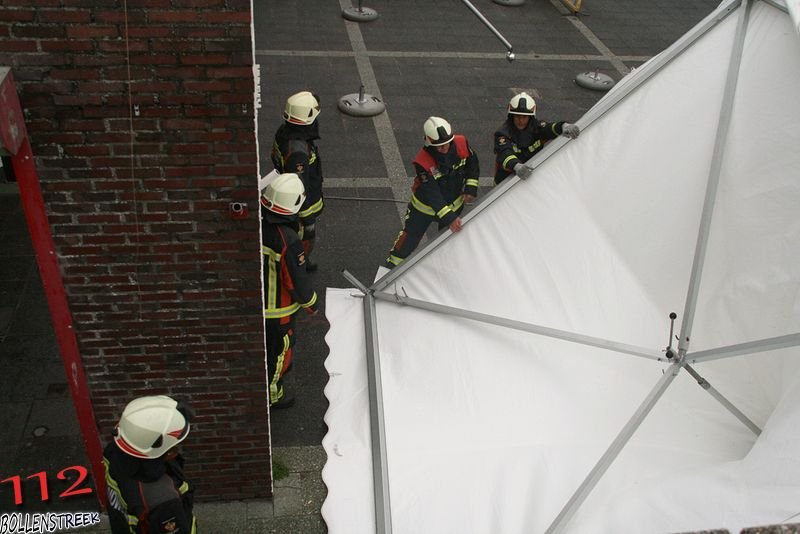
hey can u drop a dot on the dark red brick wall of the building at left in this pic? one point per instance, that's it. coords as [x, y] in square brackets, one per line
[142, 123]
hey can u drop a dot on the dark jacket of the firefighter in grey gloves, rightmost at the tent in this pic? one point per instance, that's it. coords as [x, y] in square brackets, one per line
[512, 146]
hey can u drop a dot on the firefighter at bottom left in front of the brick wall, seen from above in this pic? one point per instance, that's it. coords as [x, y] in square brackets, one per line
[147, 490]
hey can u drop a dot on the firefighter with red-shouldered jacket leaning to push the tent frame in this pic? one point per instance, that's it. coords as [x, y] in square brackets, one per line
[447, 173]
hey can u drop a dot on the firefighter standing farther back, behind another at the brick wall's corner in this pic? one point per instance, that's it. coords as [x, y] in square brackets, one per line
[294, 150]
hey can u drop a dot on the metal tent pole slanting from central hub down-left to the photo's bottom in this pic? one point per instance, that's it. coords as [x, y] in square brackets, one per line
[613, 450]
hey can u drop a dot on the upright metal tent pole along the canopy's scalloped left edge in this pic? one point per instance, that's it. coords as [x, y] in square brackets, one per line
[380, 465]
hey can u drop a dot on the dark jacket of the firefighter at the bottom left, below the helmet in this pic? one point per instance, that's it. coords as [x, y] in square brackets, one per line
[147, 496]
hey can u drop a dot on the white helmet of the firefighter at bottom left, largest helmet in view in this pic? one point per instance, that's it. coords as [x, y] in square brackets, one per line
[150, 426]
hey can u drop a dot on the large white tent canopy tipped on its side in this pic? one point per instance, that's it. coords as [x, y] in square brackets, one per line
[512, 377]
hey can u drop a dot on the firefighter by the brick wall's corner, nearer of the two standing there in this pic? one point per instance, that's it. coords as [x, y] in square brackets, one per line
[287, 285]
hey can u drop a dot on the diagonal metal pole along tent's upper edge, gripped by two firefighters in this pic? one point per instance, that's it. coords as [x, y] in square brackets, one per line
[601, 108]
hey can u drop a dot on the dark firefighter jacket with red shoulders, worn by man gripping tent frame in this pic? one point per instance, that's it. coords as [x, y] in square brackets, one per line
[443, 178]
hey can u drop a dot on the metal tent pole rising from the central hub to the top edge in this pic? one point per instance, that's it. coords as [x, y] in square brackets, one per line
[714, 173]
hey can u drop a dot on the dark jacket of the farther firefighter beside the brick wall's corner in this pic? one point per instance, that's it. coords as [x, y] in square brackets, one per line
[294, 151]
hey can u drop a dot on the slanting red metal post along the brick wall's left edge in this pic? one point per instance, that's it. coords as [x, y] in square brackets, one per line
[15, 141]
